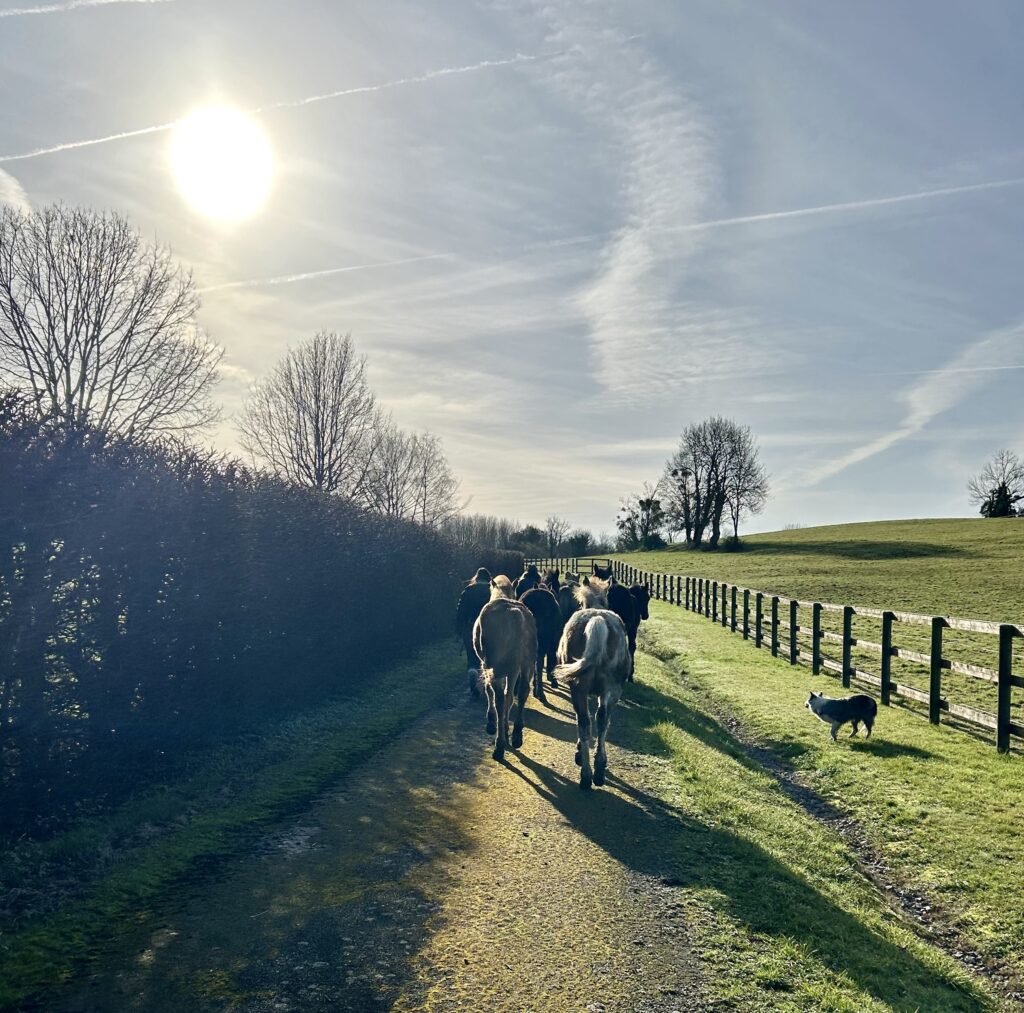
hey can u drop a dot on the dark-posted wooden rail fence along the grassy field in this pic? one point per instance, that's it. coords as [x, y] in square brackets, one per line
[731, 606]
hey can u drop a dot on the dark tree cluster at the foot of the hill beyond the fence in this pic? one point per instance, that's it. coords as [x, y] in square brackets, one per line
[715, 477]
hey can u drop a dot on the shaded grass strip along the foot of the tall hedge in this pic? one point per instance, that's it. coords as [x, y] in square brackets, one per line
[270, 779]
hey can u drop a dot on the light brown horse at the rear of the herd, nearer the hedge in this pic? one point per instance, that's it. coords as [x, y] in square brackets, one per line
[505, 641]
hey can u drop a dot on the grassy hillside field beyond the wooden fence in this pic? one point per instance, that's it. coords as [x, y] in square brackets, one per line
[964, 568]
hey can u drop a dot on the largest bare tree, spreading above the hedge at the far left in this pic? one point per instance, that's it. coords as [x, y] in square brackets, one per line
[100, 327]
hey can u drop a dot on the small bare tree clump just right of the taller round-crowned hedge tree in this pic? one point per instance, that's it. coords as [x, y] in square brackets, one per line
[409, 477]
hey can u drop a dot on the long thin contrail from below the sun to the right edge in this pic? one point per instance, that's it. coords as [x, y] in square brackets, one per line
[694, 227]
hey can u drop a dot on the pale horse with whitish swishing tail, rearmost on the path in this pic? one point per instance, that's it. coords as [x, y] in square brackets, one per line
[594, 661]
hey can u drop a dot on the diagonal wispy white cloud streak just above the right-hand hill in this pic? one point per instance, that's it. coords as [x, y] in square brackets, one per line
[935, 394]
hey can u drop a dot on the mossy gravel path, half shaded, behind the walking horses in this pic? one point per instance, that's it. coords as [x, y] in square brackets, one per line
[435, 878]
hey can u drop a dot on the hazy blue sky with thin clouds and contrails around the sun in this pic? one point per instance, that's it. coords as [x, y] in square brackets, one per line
[560, 232]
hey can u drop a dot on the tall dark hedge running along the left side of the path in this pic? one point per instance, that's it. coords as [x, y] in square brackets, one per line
[154, 599]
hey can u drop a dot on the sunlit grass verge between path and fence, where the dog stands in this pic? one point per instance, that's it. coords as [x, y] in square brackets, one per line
[943, 811]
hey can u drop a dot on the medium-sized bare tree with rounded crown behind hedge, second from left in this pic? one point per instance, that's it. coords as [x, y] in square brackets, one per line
[315, 420]
